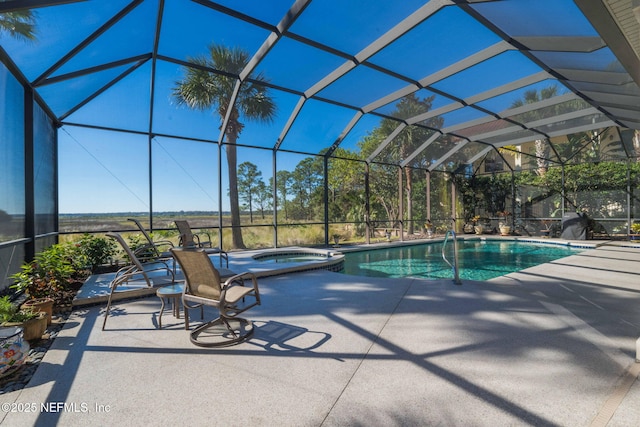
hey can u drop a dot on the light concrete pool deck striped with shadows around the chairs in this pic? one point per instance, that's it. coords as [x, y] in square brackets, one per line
[551, 345]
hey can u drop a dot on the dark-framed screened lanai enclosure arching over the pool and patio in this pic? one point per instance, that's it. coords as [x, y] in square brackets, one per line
[282, 122]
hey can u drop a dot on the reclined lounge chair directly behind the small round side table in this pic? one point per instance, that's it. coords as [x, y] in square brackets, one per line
[136, 279]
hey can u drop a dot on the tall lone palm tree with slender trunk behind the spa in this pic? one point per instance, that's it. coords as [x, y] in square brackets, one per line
[203, 89]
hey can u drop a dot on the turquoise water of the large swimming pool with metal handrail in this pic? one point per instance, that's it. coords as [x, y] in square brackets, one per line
[477, 259]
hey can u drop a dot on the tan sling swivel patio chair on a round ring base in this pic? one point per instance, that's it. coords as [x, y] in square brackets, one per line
[203, 286]
